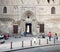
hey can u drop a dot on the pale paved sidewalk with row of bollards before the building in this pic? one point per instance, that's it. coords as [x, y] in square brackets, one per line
[26, 42]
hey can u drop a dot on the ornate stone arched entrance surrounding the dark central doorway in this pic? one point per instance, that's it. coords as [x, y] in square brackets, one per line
[28, 23]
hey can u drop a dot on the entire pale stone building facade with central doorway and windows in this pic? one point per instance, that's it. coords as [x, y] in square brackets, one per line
[30, 16]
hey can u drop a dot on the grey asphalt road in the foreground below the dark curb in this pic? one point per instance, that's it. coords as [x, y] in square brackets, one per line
[42, 49]
